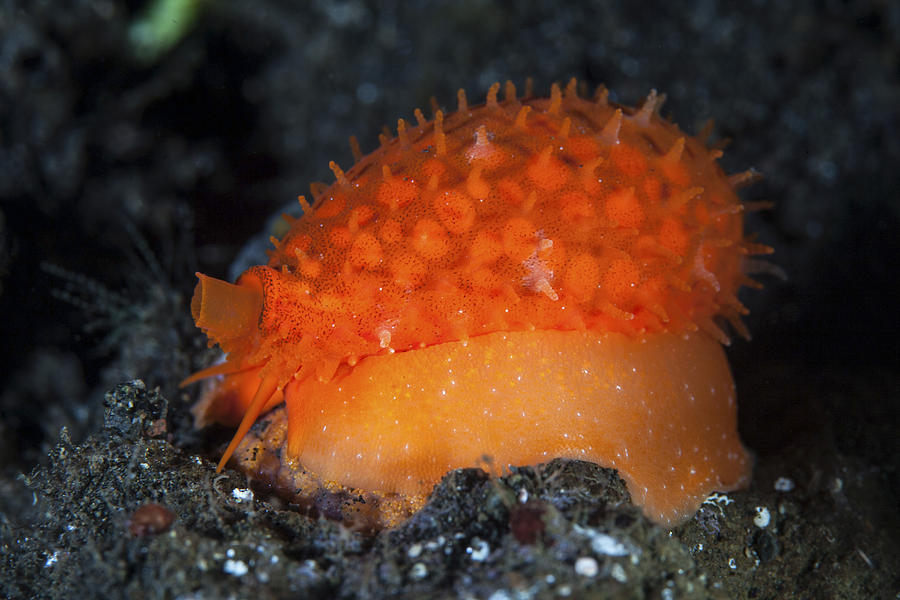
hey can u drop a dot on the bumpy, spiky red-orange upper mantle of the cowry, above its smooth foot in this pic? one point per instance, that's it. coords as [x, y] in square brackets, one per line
[549, 213]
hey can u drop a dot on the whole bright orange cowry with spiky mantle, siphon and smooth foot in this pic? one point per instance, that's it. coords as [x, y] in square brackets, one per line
[525, 279]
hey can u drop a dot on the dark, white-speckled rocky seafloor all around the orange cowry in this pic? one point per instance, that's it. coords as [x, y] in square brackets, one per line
[124, 169]
